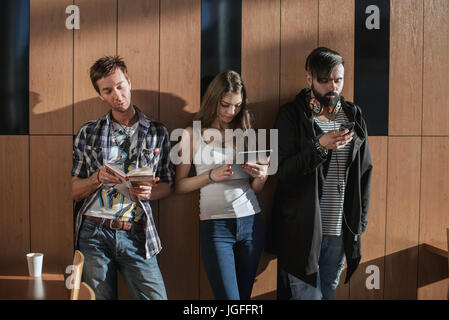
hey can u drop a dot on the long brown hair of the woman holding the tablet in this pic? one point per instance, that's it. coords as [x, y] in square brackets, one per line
[226, 82]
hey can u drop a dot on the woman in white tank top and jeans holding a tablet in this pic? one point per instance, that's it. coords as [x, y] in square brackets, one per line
[231, 224]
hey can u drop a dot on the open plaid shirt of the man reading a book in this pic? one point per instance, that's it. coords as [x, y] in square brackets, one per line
[91, 150]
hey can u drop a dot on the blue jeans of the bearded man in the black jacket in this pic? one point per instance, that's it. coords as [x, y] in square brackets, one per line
[330, 266]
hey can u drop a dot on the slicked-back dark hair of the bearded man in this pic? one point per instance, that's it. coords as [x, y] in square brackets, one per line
[322, 60]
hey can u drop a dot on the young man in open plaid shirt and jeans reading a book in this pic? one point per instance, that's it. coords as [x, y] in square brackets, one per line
[113, 231]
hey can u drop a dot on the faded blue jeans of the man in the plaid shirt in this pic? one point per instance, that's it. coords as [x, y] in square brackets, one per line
[107, 251]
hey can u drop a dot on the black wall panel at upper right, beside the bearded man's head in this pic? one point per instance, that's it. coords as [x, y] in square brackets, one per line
[371, 63]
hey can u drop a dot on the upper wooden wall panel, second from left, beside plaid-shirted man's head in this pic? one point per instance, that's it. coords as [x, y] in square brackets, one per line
[96, 37]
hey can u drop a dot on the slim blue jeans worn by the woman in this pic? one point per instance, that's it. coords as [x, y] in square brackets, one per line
[231, 250]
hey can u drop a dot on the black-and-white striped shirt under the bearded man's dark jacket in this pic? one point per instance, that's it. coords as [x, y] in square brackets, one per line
[331, 202]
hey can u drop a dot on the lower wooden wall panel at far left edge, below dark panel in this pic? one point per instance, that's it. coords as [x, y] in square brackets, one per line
[14, 199]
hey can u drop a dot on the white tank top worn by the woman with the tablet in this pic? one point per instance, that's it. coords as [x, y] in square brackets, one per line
[226, 199]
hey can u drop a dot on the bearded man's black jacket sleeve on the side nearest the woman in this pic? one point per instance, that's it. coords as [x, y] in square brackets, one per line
[294, 163]
